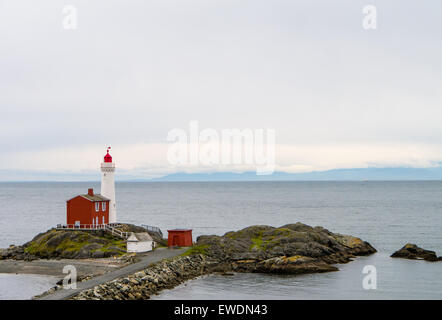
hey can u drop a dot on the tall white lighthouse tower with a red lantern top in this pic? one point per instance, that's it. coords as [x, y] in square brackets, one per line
[108, 185]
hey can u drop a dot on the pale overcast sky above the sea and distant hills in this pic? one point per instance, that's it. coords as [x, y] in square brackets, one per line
[336, 95]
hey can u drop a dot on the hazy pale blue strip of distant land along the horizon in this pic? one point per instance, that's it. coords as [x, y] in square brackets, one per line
[348, 174]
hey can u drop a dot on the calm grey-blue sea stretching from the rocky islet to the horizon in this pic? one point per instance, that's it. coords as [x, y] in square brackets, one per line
[386, 214]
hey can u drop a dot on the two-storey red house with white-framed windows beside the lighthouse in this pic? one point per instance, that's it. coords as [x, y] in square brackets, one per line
[87, 210]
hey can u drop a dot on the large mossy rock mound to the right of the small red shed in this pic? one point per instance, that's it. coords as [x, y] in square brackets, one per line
[293, 249]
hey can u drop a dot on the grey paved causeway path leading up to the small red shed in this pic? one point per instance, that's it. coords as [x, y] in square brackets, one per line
[151, 257]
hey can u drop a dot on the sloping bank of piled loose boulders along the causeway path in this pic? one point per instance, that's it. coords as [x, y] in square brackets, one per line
[141, 285]
